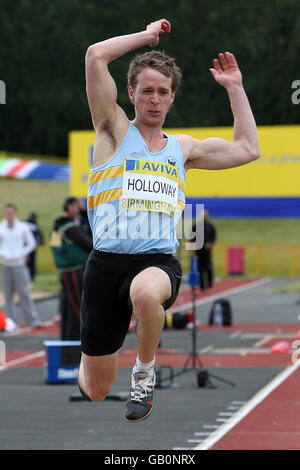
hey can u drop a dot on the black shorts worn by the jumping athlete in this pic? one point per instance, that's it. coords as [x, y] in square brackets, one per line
[105, 305]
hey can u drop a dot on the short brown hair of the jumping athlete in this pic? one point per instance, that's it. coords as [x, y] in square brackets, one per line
[156, 60]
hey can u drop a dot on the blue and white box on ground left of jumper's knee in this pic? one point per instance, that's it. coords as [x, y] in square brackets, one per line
[62, 361]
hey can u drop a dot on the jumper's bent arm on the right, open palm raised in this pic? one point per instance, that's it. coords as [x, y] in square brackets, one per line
[216, 153]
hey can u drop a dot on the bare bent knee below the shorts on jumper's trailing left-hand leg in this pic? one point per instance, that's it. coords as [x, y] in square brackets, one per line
[97, 374]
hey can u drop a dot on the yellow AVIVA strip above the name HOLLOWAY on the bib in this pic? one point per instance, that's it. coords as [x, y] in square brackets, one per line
[152, 168]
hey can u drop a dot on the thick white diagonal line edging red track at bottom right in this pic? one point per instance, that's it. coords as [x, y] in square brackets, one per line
[247, 407]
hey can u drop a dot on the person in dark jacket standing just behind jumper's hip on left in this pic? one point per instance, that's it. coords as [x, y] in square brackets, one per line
[71, 243]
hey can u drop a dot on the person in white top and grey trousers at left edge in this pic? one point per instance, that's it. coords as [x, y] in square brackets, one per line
[16, 243]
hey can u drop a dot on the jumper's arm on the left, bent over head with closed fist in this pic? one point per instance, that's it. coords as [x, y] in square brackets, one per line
[101, 88]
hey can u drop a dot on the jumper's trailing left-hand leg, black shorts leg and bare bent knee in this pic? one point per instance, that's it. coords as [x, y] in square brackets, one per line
[99, 328]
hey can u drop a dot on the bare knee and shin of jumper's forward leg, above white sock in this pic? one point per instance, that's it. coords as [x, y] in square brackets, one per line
[148, 291]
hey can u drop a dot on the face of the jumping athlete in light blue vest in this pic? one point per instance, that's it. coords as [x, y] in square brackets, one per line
[152, 96]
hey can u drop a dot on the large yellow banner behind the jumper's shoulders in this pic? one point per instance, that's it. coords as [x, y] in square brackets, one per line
[276, 173]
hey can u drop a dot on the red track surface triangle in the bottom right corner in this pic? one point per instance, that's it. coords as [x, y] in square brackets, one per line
[273, 424]
